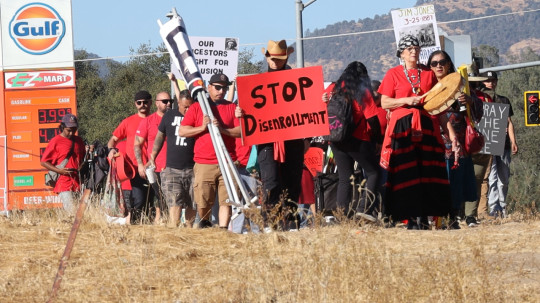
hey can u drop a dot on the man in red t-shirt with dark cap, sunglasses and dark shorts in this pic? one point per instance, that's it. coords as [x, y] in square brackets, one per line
[126, 131]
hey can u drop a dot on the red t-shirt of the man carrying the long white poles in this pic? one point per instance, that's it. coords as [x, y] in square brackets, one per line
[204, 152]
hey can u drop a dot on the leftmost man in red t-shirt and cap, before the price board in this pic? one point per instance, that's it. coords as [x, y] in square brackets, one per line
[65, 145]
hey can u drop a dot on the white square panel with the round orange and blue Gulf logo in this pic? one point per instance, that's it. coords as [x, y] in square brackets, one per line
[36, 34]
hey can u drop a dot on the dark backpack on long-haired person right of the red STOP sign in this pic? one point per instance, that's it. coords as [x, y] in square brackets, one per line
[340, 119]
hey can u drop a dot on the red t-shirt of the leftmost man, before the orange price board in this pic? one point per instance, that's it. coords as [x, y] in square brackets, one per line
[56, 151]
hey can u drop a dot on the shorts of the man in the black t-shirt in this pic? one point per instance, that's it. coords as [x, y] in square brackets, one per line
[176, 185]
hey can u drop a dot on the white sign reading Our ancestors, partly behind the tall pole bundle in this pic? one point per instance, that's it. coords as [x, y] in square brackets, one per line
[214, 55]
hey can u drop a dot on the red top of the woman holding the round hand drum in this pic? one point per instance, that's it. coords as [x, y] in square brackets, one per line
[395, 84]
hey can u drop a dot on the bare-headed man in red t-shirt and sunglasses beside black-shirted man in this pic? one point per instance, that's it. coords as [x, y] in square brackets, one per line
[145, 137]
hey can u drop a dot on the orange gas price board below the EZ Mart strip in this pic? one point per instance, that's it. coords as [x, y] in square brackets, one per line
[33, 118]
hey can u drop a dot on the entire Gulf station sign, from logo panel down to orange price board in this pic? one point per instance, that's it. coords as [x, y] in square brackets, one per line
[38, 89]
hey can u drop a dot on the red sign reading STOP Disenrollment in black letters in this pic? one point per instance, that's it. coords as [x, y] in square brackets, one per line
[282, 105]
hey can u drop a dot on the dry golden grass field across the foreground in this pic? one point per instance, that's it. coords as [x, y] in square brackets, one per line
[498, 261]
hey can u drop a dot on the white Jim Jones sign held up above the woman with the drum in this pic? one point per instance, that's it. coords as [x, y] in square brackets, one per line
[420, 22]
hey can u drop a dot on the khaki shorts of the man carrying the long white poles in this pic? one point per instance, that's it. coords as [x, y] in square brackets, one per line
[208, 181]
